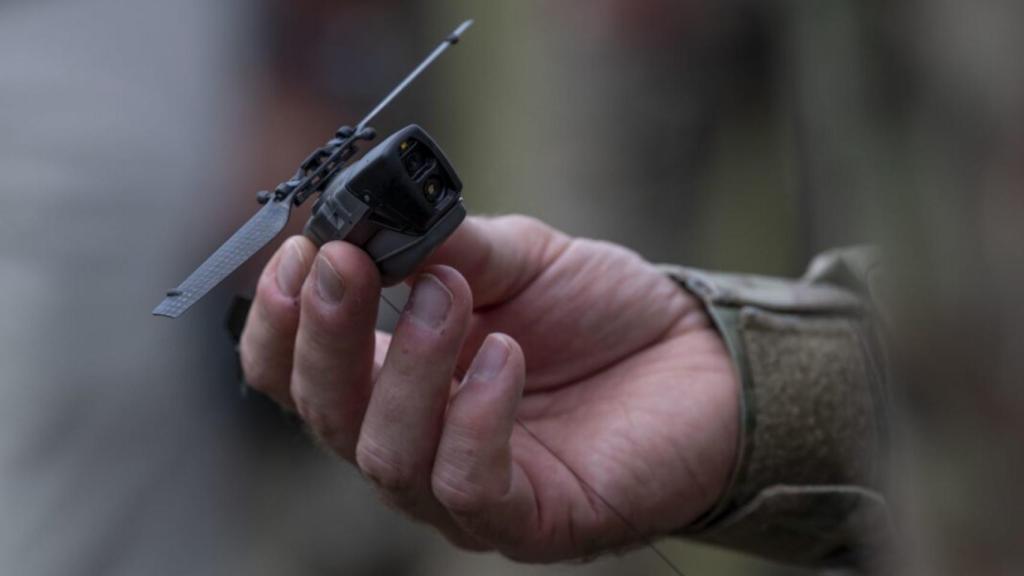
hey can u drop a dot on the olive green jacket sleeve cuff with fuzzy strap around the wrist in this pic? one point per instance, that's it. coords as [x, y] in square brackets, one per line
[804, 489]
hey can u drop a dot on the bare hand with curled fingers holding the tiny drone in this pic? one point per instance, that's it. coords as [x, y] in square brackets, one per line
[546, 397]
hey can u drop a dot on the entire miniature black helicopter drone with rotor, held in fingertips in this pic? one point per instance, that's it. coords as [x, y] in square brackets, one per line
[399, 202]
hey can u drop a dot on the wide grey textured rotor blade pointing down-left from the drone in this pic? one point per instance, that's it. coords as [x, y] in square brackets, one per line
[255, 234]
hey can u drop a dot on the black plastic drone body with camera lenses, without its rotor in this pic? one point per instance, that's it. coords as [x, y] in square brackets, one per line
[380, 203]
